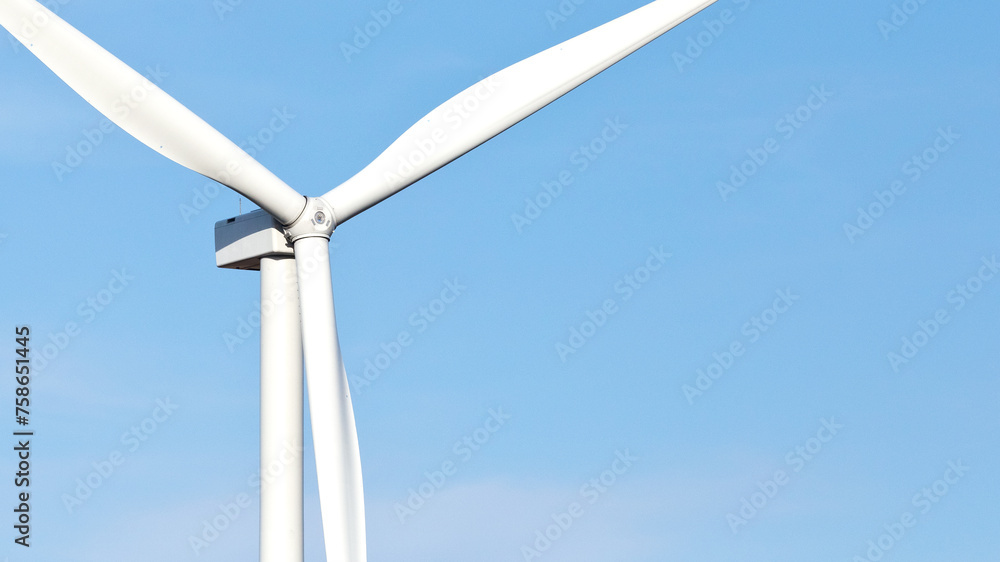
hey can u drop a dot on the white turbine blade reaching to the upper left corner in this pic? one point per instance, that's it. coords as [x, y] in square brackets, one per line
[142, 109]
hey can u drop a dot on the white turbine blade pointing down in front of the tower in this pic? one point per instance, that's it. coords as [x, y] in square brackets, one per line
[335, 437]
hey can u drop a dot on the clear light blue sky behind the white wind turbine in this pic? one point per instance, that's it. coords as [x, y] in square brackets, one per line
[813, 270]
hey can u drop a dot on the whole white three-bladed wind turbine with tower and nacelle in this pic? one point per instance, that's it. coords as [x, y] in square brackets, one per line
[288, 240]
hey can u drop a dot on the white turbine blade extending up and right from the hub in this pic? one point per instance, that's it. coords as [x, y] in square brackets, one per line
[495, 104]
